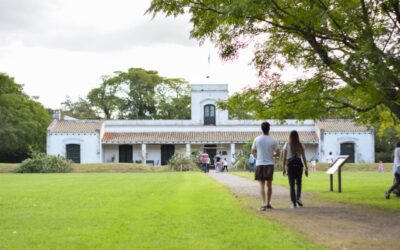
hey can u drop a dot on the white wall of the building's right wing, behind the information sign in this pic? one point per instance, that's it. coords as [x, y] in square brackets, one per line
[364, 145]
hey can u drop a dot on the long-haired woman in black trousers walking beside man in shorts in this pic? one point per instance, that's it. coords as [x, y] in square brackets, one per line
[293, 151]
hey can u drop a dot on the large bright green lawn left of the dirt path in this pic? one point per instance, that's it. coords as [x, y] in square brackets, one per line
[125, 211]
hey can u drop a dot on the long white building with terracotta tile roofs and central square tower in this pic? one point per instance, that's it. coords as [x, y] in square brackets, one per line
[155, 141]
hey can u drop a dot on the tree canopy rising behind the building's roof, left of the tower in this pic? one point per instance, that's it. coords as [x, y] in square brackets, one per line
[134, 94]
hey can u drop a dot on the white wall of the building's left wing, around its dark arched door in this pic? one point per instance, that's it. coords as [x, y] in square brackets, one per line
[89, 142]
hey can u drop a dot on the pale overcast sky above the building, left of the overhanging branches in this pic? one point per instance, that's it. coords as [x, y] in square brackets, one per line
[59, 48]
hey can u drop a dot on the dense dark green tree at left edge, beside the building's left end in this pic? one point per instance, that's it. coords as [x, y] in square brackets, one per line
[23, 122]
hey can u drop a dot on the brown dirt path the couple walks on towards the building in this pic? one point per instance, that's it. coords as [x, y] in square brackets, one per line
[335, 225]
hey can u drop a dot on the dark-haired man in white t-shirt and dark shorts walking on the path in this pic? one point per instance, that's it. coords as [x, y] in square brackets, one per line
[264, 148]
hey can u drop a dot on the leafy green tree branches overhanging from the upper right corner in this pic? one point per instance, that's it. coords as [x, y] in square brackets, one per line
[351, 46]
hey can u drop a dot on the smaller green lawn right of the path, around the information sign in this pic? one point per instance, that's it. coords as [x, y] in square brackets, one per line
[358, 187]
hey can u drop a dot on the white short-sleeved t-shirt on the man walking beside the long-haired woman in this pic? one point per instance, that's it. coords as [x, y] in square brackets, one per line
[265, 146]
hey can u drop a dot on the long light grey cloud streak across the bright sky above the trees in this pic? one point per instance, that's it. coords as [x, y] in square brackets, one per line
[145, 34]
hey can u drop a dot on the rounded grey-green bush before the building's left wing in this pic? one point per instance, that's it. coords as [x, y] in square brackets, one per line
[42, 163]
